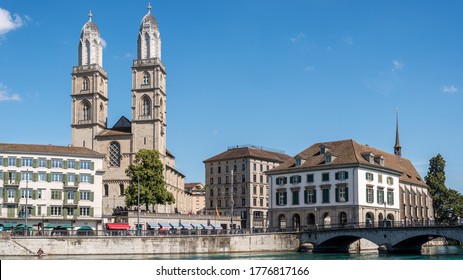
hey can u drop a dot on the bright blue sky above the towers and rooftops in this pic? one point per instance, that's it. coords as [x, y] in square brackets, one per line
[298, 72]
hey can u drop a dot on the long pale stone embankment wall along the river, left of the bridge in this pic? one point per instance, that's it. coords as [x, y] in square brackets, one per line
[131, 245]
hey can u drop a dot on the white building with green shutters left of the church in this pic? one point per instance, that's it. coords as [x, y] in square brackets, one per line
[56, 185]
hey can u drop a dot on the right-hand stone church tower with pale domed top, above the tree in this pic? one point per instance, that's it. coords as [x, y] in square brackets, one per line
[149, 90]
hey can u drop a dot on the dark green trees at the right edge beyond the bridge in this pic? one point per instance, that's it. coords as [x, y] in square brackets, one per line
[447, 203]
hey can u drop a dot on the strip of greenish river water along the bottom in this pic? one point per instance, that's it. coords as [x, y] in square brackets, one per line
[431, 253]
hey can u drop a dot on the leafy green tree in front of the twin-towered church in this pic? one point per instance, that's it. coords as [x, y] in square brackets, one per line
[147, 175]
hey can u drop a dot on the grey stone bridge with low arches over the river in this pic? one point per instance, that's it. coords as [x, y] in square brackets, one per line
[390, 239]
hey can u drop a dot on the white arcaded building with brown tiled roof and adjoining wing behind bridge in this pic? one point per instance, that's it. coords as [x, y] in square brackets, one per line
[344, 183]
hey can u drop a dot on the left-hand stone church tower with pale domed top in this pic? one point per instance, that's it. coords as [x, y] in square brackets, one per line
[89, 89]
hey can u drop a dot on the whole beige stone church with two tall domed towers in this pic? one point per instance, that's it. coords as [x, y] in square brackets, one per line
[146, 129]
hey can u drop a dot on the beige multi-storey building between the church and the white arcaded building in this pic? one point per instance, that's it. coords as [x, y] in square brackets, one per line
[241, 171]
